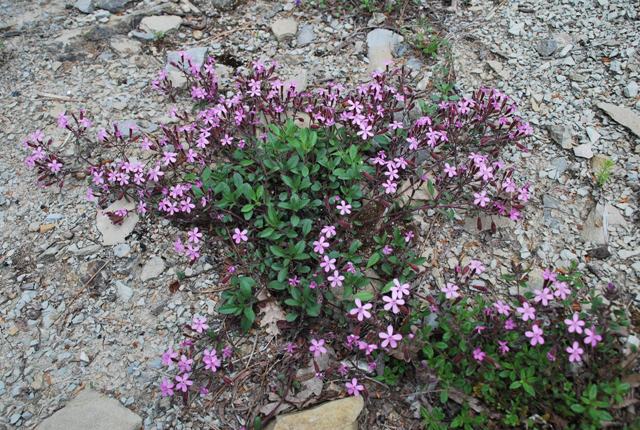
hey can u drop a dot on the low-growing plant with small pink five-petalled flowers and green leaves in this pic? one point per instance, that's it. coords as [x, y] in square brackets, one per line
[317, 196]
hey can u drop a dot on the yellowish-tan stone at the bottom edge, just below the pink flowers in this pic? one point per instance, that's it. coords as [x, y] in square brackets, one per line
[335, 415]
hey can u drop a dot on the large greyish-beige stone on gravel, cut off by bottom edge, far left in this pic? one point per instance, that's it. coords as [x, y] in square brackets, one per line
[92, 410]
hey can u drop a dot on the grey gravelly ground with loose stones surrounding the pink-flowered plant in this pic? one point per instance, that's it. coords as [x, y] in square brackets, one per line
[76, 312]
